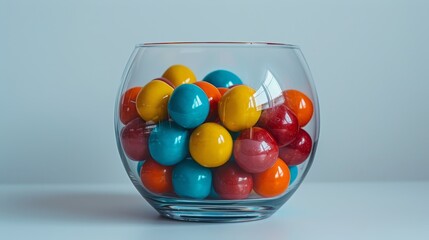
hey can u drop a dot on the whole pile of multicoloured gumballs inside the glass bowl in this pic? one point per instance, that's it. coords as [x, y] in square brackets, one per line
[210, 138]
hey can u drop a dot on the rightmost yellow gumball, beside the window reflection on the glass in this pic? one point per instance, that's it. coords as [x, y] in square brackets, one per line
[237, 108]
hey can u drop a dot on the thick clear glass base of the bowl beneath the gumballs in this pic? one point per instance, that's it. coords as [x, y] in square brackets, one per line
[214, 210]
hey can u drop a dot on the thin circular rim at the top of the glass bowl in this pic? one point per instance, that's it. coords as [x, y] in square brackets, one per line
[216, 44]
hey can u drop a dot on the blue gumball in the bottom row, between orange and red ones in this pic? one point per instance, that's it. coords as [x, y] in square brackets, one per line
[191, 179]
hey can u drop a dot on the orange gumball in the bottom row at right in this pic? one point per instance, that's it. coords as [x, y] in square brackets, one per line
[273, 181]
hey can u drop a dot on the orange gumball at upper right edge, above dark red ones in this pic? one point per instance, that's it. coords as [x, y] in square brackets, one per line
[300, 104]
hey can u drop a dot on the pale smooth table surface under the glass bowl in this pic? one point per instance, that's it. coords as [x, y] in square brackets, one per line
[393, 210]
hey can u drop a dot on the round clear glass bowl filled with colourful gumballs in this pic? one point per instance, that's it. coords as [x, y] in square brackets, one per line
[217, 131]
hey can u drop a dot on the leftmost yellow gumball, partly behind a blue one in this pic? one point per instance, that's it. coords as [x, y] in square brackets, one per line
[152, 100]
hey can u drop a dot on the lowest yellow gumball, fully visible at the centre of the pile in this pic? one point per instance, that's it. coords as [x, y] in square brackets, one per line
[210, 145]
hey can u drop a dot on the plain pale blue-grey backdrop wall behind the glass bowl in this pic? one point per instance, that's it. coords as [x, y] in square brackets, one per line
[61, 63]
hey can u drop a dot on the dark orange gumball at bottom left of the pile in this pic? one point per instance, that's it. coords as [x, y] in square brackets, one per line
[156, 177]
